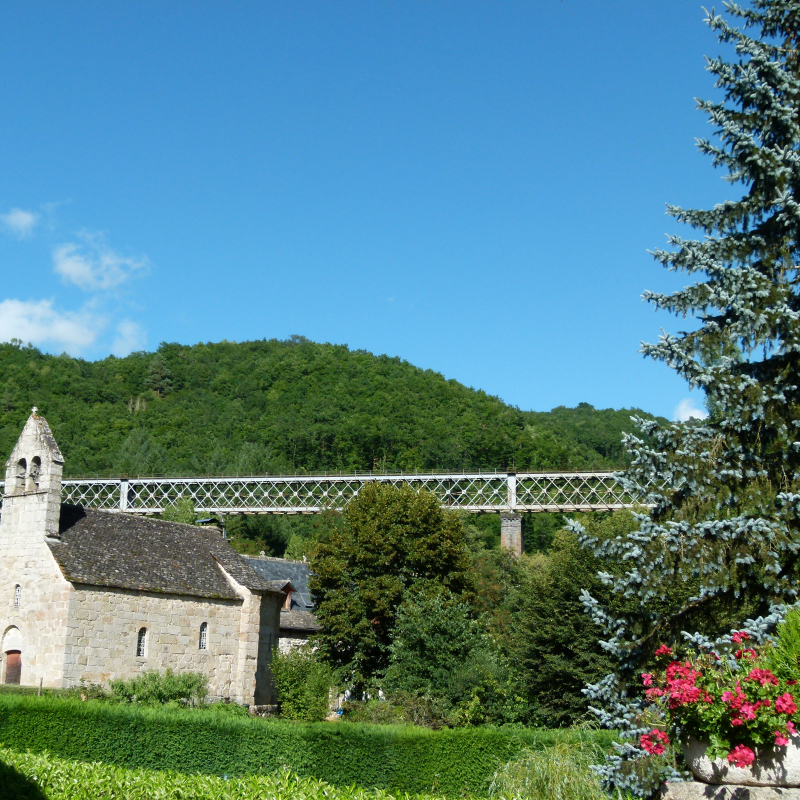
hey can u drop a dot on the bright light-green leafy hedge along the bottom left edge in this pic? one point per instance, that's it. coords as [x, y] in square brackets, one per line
[25, 776]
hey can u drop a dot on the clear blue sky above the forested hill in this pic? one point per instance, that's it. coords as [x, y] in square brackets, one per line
[472, 186]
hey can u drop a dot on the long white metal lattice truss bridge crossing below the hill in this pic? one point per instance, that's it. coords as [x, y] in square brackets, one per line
[493, 492]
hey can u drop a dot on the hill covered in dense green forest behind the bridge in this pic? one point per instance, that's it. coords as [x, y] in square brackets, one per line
[284, 406]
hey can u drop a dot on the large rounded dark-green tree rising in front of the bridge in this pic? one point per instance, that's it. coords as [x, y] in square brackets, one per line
[392, 541]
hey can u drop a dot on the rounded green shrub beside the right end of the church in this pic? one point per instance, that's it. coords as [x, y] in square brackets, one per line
[303, 684]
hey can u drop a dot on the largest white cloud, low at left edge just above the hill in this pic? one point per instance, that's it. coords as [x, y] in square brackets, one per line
[37, 322]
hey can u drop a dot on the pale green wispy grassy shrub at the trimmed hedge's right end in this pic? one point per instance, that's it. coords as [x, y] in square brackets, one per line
[560, 772]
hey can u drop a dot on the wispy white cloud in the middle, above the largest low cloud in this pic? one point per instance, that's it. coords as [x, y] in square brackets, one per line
[92, 265]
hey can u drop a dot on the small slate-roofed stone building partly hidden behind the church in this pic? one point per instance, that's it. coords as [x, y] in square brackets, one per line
[297, 621]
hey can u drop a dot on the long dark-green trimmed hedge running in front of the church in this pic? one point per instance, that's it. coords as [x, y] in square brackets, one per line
[394, 758]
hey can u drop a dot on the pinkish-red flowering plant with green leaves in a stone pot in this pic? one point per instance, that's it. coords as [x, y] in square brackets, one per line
[737, 709]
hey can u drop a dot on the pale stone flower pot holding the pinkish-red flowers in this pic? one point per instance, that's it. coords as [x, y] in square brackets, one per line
[773, 766]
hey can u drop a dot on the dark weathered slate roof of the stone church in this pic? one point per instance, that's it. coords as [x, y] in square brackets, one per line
[127, 551]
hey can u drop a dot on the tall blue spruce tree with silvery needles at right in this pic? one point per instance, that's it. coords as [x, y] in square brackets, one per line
[721, 545]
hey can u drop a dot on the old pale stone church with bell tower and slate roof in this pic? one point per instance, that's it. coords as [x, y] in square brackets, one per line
[93, 595]
